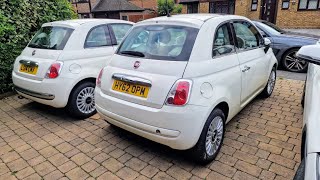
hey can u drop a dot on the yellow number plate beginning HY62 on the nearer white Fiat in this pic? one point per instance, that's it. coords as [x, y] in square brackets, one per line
[133, 89]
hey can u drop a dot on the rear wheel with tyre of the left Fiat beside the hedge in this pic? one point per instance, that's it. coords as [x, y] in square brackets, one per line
[81, 102]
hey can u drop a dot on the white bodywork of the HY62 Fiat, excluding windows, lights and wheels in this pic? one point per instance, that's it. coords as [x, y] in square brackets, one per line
[214, 80]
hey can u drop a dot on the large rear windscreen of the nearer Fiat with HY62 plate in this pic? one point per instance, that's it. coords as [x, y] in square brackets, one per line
[160, 42]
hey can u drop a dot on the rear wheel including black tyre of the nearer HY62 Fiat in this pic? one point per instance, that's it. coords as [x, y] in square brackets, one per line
[211, 138]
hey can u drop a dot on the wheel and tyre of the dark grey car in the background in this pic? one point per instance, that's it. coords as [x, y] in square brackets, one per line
[291, 63]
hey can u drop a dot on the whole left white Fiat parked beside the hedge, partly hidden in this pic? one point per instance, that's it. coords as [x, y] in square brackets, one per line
[61, 62]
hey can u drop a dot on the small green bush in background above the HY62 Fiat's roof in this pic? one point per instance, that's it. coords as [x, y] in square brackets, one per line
[164, 5]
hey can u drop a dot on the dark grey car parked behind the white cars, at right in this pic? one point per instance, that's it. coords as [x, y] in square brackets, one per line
[285, 45]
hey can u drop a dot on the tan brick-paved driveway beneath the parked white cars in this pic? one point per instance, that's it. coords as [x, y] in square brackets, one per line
[39, 142]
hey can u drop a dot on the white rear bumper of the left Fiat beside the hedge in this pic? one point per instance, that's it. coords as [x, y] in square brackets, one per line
[52, 92]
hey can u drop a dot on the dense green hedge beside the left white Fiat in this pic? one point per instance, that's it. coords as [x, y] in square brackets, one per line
[19, 20]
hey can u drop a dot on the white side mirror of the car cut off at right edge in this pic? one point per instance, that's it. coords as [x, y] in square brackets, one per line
[310, 54]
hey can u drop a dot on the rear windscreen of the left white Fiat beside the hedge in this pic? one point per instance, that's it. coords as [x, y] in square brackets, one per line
[51, 37]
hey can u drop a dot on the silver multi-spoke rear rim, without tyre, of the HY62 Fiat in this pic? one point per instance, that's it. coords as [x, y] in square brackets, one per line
[214, 135]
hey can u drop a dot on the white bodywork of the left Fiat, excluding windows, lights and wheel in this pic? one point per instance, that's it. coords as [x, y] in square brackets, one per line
[79, 63]
